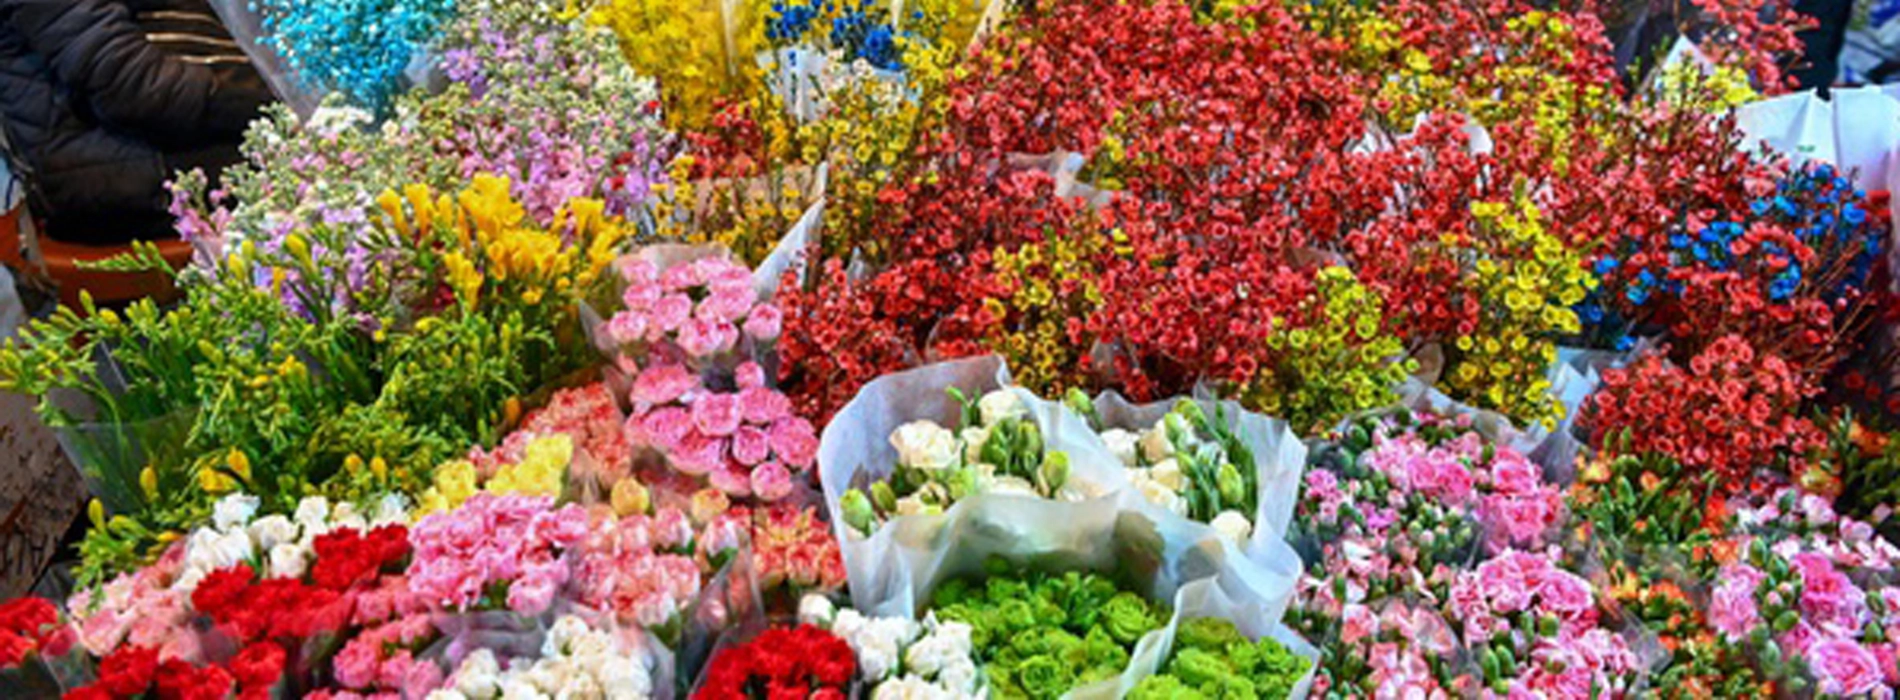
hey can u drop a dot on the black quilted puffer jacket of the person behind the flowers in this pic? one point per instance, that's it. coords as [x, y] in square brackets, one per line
[104, 100]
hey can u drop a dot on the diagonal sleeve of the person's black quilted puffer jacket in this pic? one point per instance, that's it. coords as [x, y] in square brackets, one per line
[102, 54]
